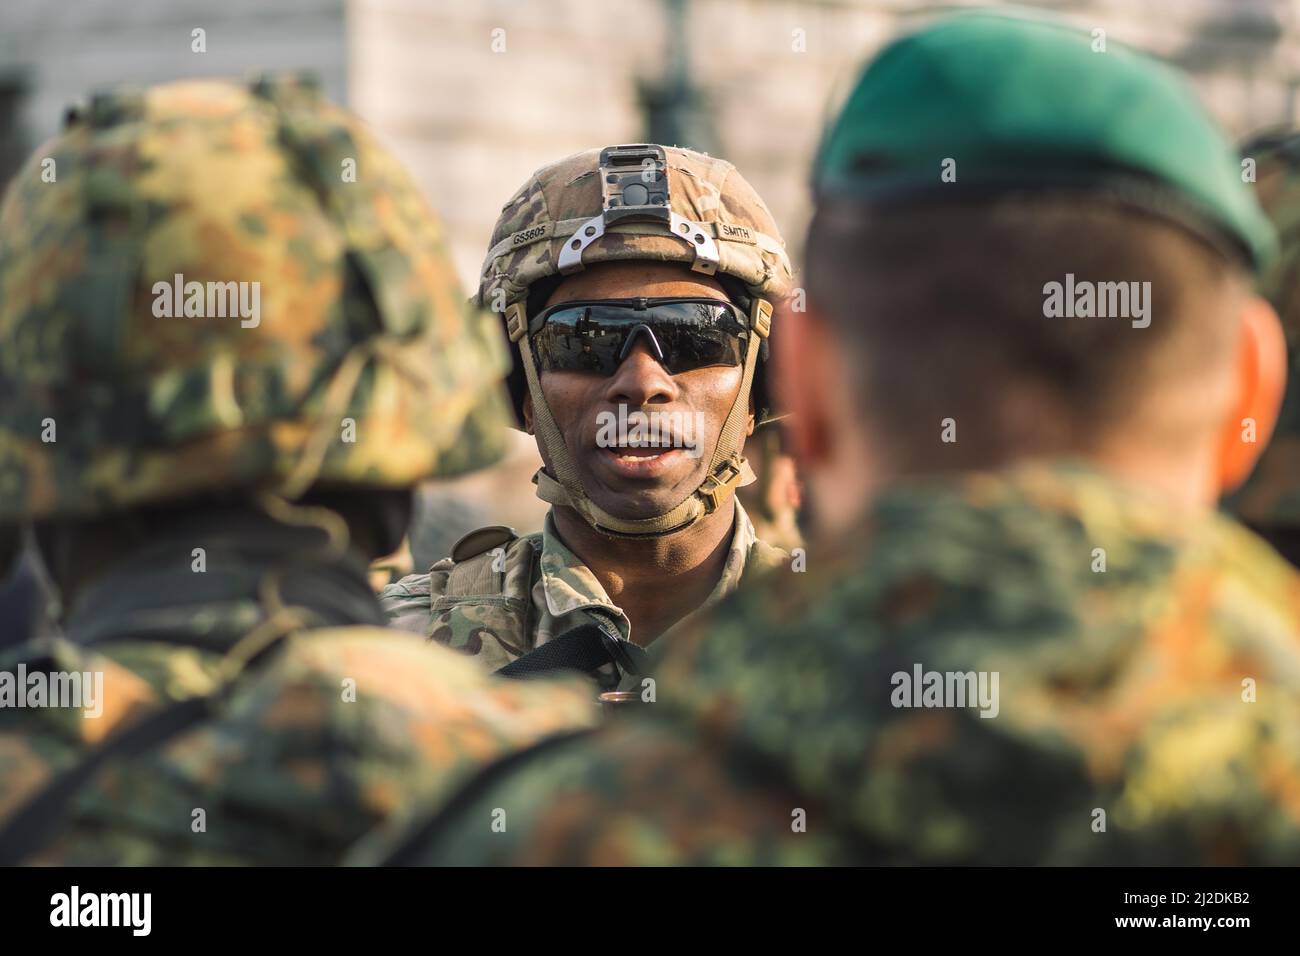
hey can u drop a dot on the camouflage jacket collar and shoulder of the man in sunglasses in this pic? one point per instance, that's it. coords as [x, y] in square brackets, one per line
[544, 586]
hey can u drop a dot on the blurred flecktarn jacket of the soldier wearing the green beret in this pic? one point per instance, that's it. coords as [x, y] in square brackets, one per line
[1123, 691]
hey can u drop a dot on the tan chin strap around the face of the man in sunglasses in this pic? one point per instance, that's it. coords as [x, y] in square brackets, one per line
[727, 470]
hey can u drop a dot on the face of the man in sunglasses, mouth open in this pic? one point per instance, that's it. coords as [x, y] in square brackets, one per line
[635, 482]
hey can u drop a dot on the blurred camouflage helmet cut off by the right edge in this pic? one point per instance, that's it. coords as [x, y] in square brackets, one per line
[1272, 496]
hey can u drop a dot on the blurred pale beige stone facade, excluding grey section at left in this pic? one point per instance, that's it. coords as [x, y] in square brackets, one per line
[475, 97]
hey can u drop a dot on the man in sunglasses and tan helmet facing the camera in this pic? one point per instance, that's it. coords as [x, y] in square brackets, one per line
[636, 285]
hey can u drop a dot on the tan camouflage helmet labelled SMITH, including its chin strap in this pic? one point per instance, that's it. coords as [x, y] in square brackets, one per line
[623, 204]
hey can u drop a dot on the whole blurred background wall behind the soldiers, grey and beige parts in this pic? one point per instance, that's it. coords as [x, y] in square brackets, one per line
[476, 94]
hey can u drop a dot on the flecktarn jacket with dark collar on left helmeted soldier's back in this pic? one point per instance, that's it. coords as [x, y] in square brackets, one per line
[293, 759]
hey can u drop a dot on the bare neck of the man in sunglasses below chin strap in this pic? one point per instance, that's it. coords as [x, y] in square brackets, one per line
[660, 581]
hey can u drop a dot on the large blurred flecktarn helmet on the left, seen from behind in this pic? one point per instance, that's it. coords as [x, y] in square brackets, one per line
[211, 285]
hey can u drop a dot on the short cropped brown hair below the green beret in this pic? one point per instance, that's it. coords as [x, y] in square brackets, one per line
[943, 309]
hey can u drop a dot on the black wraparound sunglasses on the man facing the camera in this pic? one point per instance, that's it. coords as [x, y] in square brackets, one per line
[597, 336]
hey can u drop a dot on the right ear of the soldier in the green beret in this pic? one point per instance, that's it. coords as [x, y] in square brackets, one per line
[1262, 379]
